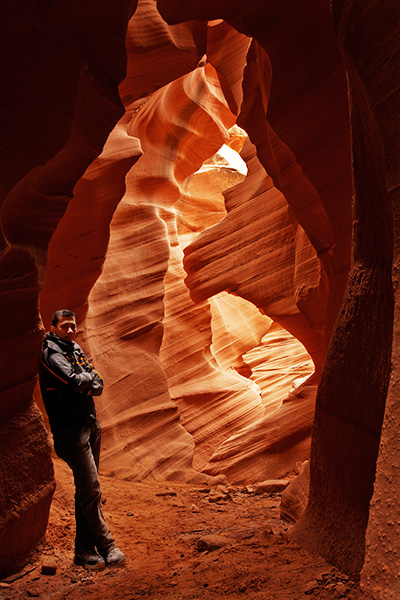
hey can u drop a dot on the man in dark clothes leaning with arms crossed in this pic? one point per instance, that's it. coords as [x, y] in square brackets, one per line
[68, 382]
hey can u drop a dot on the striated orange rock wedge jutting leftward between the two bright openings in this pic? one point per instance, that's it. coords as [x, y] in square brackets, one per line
[258, 227]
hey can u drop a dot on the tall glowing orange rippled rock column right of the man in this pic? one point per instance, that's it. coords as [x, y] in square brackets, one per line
[139, 230]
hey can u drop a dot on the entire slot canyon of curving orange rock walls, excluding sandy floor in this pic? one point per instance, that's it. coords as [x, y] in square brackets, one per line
[211, 187]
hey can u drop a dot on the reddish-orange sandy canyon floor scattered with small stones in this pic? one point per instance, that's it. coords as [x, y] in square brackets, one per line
[158, 526]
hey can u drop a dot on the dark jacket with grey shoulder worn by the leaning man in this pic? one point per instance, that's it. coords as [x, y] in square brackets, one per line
[68, 382]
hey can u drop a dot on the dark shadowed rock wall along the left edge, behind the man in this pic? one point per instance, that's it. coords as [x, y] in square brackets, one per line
[60, 101]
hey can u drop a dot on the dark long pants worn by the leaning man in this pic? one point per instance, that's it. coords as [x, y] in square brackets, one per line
[79, 447]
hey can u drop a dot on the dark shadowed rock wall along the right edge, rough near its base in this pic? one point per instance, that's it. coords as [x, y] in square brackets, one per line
[350, 408]
